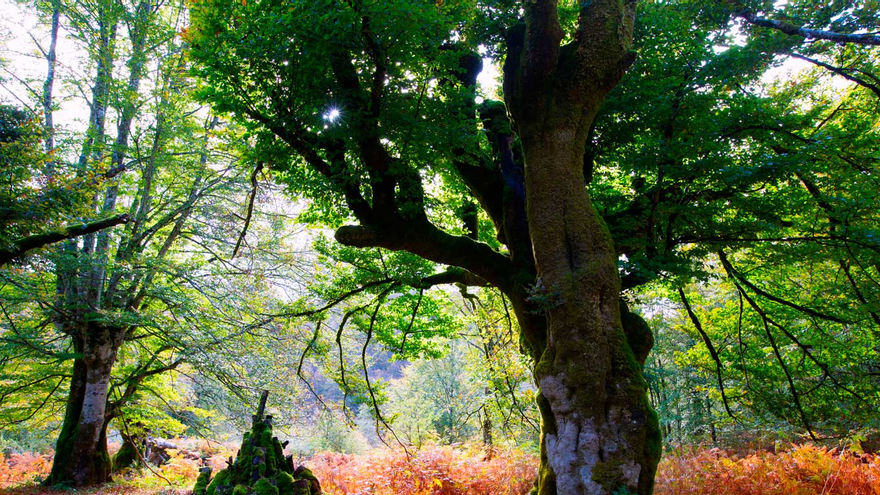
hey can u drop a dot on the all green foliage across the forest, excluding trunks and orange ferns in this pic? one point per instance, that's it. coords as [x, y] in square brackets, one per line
[756, 196]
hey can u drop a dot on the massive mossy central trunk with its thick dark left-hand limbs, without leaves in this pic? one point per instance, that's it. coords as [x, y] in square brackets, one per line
[559, 268]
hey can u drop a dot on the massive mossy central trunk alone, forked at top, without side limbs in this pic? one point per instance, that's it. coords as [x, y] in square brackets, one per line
[599, 433]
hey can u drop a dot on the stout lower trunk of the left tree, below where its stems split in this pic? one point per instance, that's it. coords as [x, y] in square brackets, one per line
[81, 456]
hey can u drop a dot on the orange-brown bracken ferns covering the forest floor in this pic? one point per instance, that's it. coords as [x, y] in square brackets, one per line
[800, 470]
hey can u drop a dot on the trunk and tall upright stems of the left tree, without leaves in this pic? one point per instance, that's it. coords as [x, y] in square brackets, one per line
[81, 457]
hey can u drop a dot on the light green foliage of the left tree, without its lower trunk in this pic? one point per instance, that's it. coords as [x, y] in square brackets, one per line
[164, 281]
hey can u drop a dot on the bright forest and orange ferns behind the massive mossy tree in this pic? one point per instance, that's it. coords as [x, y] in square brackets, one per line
[735, 164]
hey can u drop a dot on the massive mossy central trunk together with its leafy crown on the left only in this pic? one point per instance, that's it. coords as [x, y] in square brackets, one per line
[366, 114]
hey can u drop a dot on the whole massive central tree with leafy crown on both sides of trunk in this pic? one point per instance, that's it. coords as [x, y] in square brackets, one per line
[370, 110]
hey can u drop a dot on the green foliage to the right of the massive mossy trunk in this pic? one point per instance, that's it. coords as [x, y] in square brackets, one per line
[757, 191]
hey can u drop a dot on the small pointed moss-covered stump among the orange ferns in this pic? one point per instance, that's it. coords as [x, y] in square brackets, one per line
[260, 468]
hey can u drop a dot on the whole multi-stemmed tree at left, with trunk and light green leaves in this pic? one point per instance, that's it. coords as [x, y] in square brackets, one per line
[136, 287]
